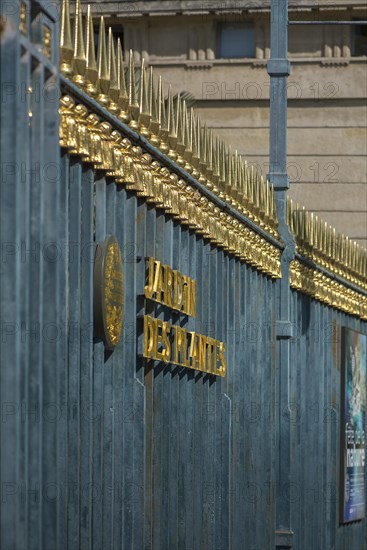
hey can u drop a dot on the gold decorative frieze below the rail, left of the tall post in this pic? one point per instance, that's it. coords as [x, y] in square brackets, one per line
[83, 133]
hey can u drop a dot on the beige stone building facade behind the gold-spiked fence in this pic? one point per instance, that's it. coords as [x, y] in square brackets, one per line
[218, 50]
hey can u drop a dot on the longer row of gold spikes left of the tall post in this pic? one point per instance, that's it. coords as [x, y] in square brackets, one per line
[167, 123]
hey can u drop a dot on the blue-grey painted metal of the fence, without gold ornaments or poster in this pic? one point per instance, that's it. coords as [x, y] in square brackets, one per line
[102, 449]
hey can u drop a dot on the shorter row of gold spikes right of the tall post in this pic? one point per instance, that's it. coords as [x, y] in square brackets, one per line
[320, 242]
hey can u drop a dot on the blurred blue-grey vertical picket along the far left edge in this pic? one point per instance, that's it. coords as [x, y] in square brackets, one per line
[10, 307]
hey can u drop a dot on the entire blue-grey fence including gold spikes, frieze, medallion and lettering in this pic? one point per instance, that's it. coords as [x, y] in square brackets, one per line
[171, 437]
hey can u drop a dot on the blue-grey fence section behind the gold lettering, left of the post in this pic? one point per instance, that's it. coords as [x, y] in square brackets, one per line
[177, 456]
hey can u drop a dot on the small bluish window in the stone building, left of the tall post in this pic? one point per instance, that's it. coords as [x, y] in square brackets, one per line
[236, 40]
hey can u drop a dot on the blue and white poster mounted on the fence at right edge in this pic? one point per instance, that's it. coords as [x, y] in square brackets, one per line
[353, 417]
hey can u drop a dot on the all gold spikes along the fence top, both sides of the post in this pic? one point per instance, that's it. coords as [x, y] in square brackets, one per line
[138, 99]
